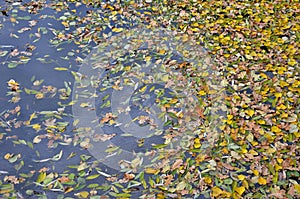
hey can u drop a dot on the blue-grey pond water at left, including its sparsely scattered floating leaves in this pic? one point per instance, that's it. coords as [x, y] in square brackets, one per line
[41, 154]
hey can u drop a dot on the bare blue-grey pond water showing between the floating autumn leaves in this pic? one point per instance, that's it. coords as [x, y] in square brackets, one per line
[43, 61]
